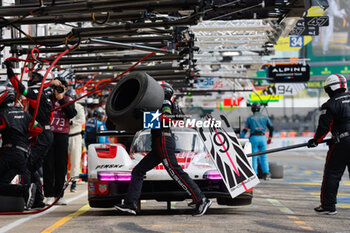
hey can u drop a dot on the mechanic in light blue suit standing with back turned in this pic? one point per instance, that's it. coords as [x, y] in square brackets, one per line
[257, 123]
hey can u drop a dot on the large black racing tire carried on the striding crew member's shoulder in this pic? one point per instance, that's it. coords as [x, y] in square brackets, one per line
[134, 94]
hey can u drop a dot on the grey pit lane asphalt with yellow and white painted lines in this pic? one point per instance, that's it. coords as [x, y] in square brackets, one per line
[279, 205]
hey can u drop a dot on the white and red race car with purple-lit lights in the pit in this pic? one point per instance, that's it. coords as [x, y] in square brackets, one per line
[110, 166]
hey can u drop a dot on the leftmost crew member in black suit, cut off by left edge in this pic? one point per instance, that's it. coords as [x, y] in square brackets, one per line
[15, 128]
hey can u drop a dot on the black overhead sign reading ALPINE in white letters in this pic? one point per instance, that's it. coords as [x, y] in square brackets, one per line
[289, 73]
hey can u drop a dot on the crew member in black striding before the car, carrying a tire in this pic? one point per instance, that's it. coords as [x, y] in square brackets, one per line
[163, 151]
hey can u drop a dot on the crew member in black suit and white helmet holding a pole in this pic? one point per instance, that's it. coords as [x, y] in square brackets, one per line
[335, 117]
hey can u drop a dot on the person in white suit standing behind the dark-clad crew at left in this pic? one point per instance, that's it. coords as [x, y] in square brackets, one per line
[75, 139]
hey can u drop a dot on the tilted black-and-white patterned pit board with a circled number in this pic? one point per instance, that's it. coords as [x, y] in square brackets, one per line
[228, 156]
